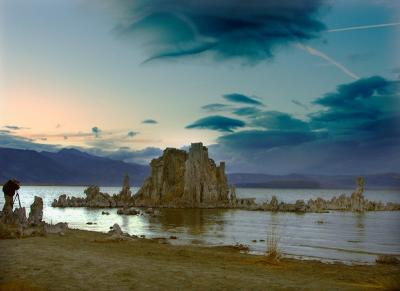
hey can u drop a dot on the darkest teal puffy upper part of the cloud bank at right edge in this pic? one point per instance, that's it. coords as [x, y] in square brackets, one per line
[366, 108]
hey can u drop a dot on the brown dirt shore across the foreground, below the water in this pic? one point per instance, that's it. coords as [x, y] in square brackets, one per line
[80, 261]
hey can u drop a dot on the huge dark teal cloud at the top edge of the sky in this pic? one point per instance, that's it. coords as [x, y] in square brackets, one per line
[228, 29]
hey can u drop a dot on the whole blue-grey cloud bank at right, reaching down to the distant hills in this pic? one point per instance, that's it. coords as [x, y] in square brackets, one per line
[355, 131]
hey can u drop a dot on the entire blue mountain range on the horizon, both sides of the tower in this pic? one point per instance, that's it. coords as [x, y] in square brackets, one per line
[74, 167]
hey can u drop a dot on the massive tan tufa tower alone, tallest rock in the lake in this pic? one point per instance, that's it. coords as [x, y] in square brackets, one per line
[181, 179]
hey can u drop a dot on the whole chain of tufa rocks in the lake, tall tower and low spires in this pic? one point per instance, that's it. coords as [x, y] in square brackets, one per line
[181, 179]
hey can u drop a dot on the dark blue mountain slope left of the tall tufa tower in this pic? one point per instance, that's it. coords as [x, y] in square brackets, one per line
[67, 167]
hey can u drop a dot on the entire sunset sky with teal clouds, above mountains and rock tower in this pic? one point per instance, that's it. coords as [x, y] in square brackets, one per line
[269, 86]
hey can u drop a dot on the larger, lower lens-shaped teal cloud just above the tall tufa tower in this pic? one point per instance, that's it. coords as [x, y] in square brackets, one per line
[219, 123]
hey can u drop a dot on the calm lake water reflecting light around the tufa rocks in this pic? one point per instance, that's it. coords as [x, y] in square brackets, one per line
[343, 236]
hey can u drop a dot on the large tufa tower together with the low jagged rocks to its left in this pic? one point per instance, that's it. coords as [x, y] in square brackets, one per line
[178, 179]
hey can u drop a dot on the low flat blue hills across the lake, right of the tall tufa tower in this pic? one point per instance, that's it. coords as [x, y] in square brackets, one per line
[249, 180]
